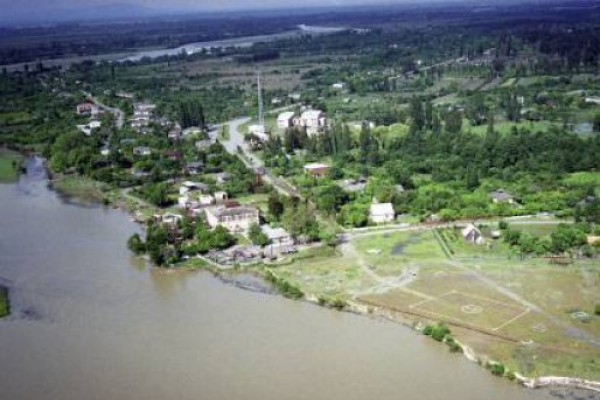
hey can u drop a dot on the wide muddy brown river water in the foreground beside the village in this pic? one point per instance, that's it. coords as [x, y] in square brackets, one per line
[91, 322]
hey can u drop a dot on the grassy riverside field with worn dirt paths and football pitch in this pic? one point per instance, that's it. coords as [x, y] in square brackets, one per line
[525, 314]
